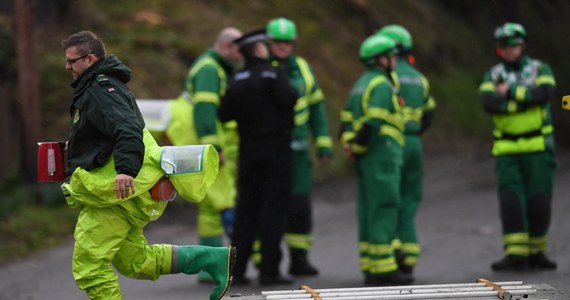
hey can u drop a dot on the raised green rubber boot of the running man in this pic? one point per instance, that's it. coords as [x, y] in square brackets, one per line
[216, 261]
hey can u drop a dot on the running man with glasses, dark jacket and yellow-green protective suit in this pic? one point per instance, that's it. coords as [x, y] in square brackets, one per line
[109, 153]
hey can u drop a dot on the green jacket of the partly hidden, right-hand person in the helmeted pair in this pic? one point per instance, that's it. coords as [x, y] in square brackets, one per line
[415, 90]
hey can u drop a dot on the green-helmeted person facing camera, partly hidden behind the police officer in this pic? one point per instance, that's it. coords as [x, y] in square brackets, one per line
[310, 123]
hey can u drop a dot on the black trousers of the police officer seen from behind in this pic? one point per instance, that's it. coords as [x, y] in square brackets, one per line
[264, 181]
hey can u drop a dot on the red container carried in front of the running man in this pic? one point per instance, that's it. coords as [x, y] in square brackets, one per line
[50, 162]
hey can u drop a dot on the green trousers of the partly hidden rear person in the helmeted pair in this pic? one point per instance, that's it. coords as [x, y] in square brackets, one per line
[411, 194]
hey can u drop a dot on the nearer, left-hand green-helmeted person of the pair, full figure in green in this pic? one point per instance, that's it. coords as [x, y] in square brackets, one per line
[372, 134]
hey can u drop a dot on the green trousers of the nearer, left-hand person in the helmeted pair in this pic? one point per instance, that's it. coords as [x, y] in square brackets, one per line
[378, 180]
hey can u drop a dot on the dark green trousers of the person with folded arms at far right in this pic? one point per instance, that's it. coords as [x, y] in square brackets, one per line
[525, 184]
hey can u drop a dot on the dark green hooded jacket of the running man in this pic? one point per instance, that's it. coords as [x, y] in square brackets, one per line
[105, 120]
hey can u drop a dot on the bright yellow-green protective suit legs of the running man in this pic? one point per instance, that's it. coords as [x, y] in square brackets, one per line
[105, 236]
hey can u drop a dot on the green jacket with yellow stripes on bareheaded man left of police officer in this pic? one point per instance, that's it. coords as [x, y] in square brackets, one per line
[206, 84]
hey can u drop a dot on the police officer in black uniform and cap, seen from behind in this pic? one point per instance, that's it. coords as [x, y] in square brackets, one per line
[261, 100]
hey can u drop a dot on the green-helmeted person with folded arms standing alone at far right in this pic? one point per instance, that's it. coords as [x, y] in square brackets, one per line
[516, 93]
